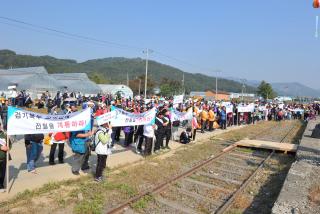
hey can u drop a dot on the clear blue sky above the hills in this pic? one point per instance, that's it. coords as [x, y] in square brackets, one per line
[271, 40]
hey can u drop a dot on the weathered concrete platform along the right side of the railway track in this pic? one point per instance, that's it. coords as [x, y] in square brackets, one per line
[302, 178]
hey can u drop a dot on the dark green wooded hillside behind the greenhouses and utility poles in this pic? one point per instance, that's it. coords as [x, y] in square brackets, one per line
[114, 70]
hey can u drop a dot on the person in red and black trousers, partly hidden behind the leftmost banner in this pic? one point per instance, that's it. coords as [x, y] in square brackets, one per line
[58, 138]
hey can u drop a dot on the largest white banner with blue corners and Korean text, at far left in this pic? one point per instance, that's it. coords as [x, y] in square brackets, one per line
[27, 122]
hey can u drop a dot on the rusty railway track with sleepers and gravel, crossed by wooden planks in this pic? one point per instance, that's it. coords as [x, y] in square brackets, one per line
[210, 186]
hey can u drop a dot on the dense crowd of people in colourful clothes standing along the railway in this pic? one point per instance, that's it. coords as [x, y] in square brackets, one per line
[152, 138]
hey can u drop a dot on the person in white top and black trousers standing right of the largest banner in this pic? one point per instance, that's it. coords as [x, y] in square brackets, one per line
[102, 142]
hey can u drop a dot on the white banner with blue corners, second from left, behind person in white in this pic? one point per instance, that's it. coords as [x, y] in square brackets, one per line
[119, 117]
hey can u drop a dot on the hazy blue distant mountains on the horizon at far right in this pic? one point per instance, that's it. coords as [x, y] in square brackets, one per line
[293, 89]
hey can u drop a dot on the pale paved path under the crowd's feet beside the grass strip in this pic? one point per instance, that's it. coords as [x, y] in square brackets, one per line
[21, 180]
